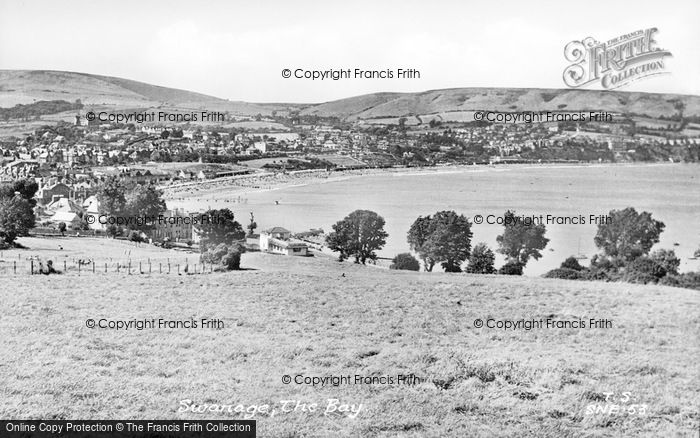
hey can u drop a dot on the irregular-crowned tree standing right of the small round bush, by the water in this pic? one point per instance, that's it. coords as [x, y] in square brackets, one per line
[521, 240]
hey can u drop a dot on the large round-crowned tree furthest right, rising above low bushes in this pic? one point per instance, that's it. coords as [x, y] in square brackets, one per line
[628, 234]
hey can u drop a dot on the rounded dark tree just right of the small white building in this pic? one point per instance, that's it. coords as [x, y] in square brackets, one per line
[358, 235]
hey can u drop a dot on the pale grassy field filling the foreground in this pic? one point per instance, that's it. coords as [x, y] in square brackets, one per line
[317, 317]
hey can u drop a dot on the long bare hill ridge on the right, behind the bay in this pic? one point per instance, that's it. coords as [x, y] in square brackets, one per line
[460, 100]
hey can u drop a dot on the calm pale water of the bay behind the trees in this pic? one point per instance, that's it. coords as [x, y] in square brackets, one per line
[568, 198]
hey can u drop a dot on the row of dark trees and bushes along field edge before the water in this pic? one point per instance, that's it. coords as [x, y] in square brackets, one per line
[445, 239]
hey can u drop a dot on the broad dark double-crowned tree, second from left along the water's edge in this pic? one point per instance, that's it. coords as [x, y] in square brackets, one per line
[444, 237]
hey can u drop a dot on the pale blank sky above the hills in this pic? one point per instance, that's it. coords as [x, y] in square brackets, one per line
[238, 50]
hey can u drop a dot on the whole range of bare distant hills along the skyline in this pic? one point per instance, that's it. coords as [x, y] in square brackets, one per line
[28, 86]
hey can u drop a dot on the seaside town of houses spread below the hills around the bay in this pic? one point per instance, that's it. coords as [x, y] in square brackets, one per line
[69, 160]
